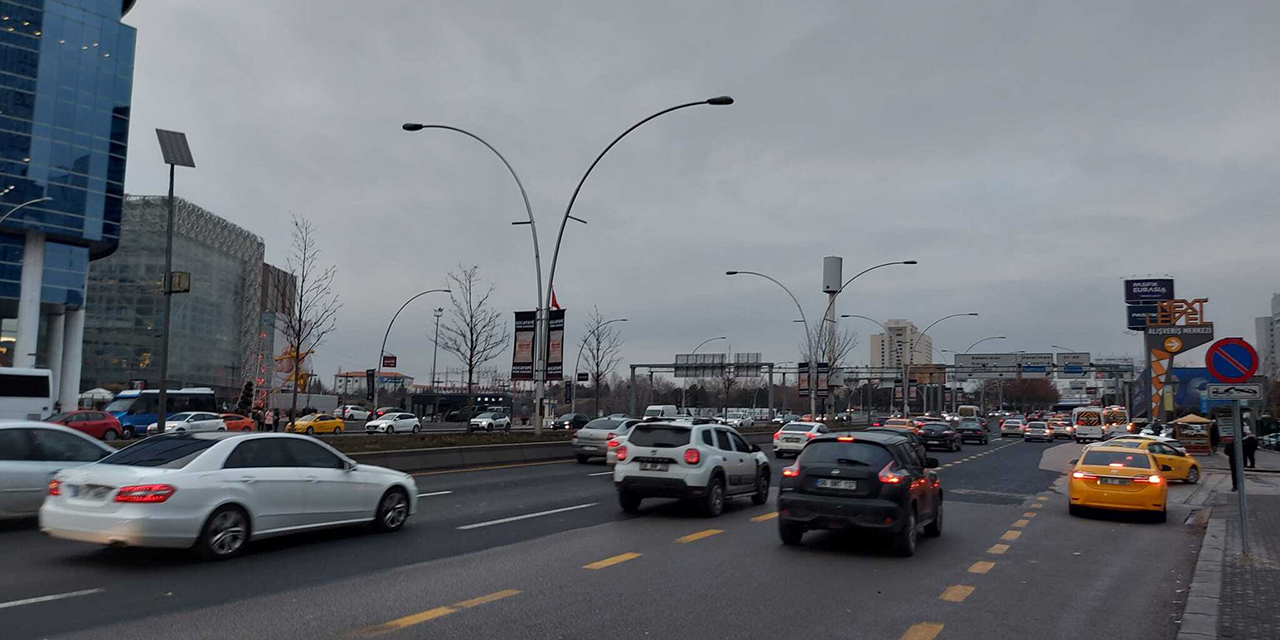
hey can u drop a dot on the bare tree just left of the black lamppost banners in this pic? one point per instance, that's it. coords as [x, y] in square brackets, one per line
[476, 332]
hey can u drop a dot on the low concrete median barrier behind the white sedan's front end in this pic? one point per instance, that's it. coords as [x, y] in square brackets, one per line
[483, 455]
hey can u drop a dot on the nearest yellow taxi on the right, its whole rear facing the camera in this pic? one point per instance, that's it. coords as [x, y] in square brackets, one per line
[1119, 479]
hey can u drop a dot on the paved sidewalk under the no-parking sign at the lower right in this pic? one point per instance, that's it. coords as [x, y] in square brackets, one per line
[1232, 596]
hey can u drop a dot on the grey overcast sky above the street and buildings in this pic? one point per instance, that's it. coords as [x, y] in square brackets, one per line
[1028, 156]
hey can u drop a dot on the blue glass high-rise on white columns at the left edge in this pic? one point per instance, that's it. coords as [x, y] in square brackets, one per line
[66, 85]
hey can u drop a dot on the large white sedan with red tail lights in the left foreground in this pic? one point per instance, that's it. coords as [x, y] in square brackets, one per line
[216, 493]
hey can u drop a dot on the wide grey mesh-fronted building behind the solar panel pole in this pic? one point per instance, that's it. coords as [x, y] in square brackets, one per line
[214, 330]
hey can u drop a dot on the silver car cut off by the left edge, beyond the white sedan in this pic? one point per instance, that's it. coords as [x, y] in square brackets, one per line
[33, 452]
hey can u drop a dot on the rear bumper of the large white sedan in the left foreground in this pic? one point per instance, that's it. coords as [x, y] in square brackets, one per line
[120, 529]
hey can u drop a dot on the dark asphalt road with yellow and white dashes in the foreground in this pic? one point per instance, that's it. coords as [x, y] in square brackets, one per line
[543, 551]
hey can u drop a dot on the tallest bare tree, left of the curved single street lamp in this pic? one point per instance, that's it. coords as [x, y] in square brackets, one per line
[309, 307]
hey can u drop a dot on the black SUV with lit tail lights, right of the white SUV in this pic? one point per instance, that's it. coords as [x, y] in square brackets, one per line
[872, 482]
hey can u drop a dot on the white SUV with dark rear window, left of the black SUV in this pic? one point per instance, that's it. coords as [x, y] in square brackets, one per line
[691, 461]
